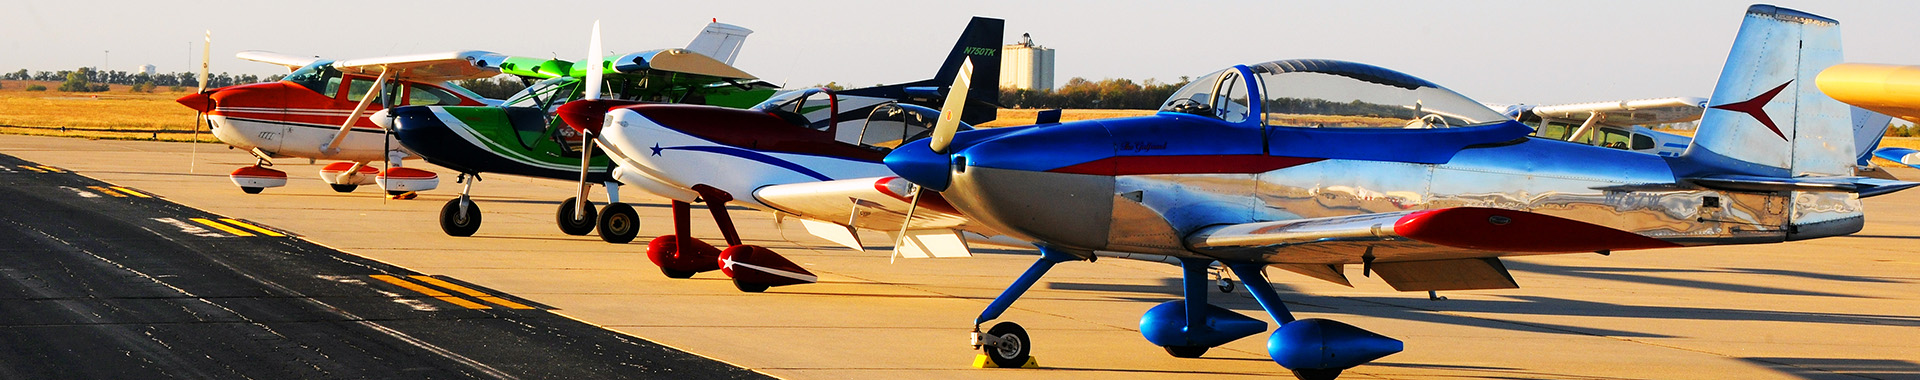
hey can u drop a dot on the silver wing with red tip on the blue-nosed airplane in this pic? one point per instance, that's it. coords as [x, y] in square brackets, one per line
[1454, 249]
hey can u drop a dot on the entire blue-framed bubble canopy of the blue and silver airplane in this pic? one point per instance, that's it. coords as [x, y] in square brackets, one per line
[1328, 95]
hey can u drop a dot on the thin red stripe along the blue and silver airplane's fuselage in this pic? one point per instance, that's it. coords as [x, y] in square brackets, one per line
[1186, 164]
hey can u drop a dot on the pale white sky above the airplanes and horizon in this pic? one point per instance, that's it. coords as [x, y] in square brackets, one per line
[1495, 51]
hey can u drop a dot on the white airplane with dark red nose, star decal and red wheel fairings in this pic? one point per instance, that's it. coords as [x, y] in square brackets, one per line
[796, 143]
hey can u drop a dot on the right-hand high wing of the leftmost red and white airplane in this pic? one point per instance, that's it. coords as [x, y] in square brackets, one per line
[429, 68]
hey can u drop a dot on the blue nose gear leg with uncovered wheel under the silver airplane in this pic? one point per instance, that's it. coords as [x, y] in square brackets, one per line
[1007, 344]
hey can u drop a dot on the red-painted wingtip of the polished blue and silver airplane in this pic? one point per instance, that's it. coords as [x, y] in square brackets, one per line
[1518, 231]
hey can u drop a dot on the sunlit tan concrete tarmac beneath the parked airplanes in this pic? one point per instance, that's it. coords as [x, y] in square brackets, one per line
[1836, 308]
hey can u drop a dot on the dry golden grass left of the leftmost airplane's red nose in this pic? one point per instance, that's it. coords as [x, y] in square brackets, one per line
[45, 114]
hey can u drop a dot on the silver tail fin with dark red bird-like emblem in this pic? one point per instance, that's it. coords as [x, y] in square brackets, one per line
[1767, 118]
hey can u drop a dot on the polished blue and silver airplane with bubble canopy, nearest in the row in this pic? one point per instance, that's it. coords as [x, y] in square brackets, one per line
[1312, 164]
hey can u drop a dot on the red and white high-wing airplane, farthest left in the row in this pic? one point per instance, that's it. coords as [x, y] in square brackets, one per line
[324, 112]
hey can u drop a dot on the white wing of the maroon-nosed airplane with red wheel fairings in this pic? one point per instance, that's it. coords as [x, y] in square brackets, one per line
[832, 210]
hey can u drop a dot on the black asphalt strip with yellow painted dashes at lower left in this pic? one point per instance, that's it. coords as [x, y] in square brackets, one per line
[112, 283]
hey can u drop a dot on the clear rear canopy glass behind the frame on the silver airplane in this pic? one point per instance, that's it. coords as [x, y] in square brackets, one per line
[1343, 95]
